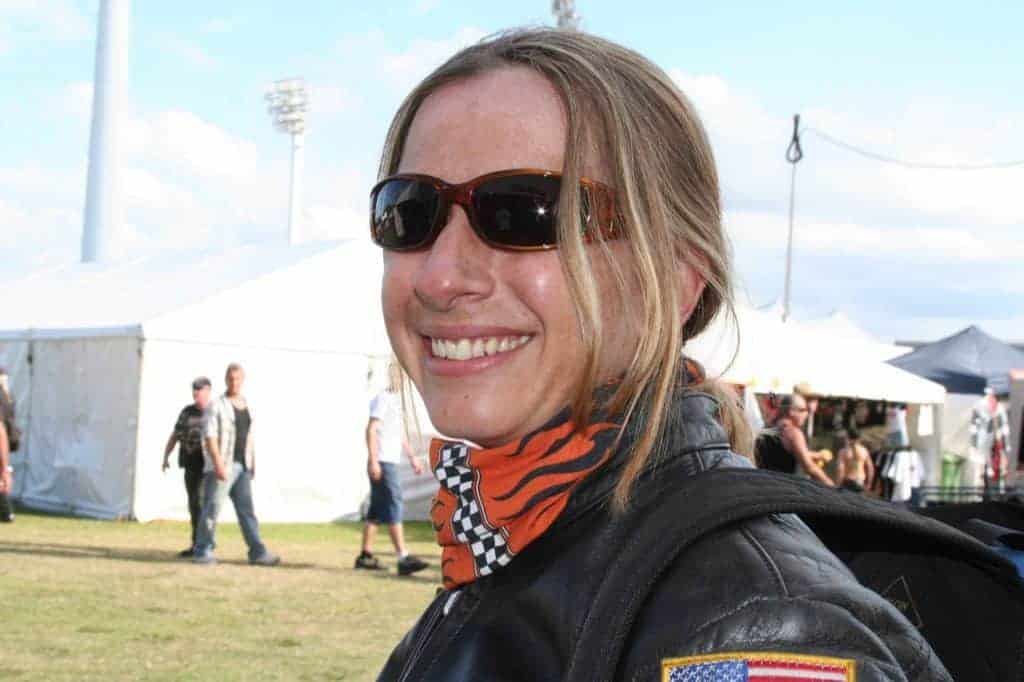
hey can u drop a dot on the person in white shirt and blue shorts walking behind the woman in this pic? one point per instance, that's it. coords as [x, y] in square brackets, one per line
[387, 443]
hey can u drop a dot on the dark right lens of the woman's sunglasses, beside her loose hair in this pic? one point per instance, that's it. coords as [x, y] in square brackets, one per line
[519, 210]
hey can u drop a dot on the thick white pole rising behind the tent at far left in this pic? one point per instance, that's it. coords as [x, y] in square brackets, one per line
[103, 217]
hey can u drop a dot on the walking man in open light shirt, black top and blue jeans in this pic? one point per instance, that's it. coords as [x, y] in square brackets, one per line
[229, 471]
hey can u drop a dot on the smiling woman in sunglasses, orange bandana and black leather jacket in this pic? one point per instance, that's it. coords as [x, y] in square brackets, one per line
[550, 219]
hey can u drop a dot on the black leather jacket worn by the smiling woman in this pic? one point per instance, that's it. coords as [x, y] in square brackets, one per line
[767, 585]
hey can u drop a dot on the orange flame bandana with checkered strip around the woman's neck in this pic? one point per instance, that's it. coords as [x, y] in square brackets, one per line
[494, 502]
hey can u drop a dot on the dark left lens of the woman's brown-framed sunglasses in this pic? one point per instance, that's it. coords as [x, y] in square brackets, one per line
[404, 214]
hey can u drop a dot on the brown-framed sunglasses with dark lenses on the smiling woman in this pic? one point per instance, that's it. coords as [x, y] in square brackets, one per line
[517, 210]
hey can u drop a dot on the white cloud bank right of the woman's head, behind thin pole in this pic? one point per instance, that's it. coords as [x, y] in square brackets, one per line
[945, 245]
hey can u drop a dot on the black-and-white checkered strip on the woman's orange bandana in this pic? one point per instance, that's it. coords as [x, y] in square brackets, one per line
[490, 549]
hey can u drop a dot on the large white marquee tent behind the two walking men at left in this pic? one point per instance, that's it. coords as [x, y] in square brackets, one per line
[102, 357]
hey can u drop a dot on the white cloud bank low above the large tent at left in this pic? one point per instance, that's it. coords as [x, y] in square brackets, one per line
[187, 184]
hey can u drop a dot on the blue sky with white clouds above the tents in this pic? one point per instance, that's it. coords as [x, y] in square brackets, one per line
[907, 253]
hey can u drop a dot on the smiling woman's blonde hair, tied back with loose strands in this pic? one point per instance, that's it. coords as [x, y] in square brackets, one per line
[660, 162]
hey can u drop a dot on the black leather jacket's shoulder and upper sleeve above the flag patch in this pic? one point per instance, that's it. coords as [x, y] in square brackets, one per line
[771, 586]
